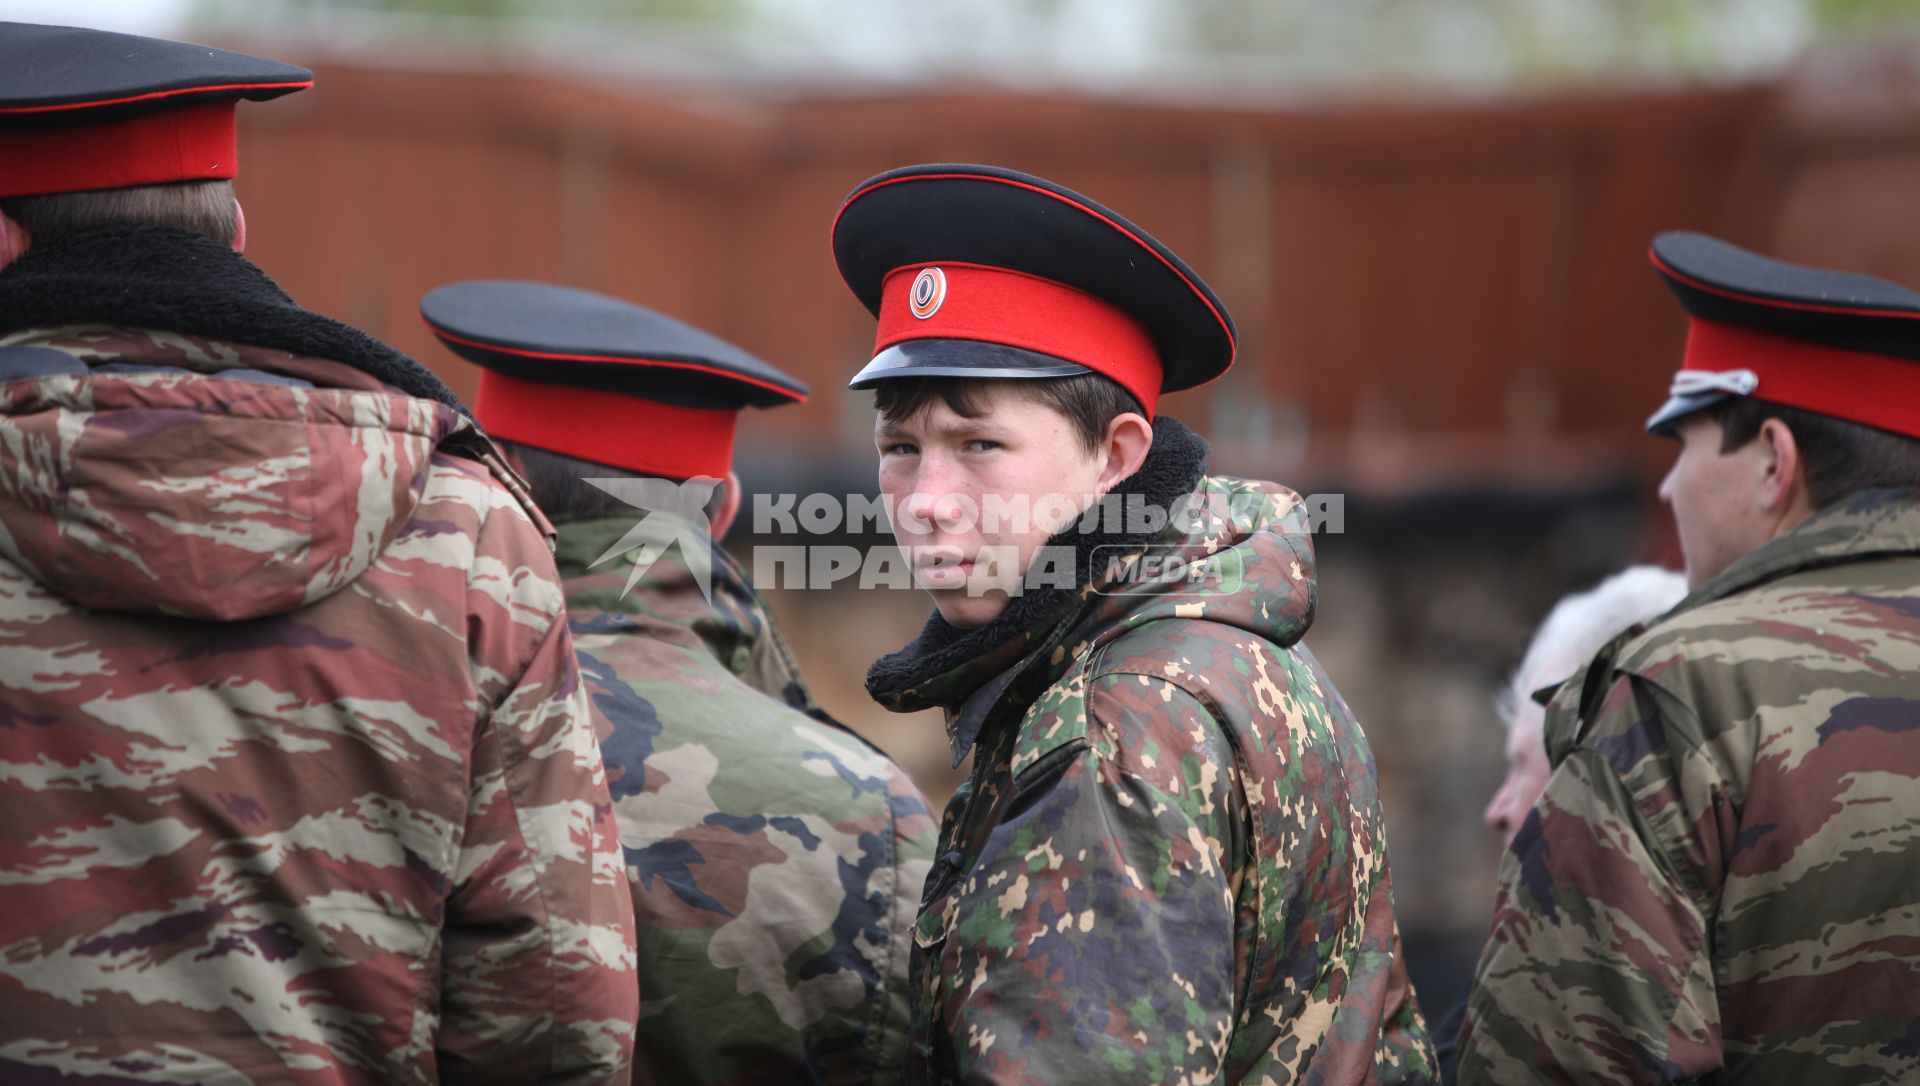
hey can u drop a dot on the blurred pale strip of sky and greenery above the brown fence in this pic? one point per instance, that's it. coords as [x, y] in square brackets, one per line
[1477, 43]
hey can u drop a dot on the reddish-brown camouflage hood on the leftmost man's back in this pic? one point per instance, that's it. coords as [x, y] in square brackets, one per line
[168, 475]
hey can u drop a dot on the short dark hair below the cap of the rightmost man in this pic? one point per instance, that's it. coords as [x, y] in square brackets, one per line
[1838, 458]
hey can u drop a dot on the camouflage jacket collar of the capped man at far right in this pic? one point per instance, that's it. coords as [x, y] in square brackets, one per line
[1871, 523]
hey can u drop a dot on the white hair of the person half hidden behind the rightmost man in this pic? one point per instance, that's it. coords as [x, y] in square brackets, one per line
[1583, 623]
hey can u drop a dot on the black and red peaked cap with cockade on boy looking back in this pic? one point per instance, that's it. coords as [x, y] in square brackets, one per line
[990, 273]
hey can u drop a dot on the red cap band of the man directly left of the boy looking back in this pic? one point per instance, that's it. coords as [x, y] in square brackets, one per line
[610, 429]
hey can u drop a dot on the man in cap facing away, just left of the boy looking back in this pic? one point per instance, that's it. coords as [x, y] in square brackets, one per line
[775, 855]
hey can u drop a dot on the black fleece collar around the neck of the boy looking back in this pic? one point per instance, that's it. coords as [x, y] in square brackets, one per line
[967, 673]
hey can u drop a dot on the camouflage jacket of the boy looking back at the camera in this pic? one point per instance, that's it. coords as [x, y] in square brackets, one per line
[1170, 861]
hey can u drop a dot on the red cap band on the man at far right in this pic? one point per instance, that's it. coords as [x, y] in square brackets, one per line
[1873, 390]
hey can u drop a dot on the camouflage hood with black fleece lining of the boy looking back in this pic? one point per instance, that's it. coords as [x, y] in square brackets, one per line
[1232, 552]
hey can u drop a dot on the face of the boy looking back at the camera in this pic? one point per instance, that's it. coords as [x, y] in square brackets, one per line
[976, 498]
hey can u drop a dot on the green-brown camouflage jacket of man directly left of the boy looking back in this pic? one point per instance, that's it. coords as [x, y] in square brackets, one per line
[775, 855]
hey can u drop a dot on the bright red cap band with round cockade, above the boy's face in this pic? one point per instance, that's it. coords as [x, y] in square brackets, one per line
[999, 306]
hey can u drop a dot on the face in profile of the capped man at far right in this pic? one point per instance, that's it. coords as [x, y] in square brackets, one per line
[1714, 498]
